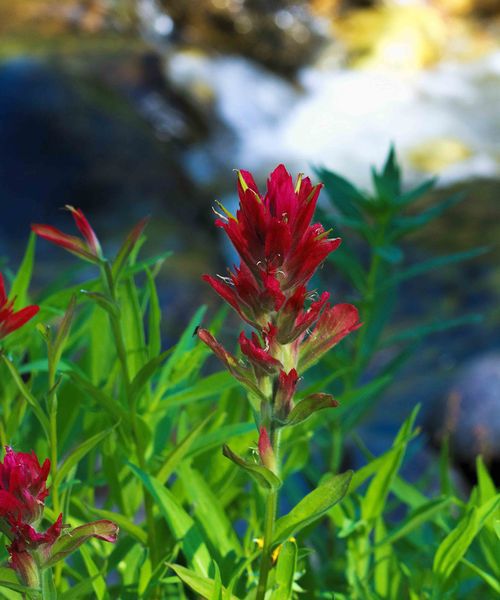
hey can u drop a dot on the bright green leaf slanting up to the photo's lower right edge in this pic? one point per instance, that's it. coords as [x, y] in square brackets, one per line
[453, 548]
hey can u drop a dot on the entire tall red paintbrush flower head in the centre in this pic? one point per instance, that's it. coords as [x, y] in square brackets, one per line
[280, 250]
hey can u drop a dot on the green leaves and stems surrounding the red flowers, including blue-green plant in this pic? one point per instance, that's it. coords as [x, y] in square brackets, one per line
[140, 436]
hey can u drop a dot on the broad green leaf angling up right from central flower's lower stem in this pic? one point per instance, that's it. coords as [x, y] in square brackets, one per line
[312, 507]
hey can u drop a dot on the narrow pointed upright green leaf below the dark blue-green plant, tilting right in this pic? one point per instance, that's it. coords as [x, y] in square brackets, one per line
[374, 501]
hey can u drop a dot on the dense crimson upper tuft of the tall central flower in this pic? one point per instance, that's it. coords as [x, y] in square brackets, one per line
[274, 237]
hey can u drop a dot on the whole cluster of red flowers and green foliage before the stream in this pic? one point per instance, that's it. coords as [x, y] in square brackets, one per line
[131, 435]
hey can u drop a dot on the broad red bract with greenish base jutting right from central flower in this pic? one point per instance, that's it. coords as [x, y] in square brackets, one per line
[333, 325]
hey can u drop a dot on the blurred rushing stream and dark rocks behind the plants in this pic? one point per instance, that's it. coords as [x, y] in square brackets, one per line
[134, 107]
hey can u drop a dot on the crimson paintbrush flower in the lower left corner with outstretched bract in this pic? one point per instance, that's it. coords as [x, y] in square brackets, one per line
[23, 491]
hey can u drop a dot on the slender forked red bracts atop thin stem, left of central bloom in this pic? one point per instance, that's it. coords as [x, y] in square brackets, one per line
[89, 248]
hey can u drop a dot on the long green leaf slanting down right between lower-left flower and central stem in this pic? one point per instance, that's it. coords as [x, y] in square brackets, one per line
[179, 522]
